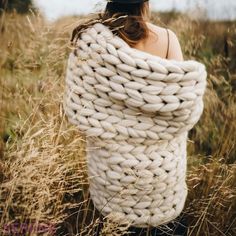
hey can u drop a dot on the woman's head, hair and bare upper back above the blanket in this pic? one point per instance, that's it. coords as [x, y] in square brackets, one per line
[136, 29]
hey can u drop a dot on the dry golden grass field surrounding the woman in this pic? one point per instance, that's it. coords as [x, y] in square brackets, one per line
[42, 158]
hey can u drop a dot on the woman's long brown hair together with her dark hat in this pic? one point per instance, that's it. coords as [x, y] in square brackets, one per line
[125, 20]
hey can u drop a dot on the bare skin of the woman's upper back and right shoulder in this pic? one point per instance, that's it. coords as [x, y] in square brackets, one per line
[157, 43]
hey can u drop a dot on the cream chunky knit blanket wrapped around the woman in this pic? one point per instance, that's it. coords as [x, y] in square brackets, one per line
[136, 110]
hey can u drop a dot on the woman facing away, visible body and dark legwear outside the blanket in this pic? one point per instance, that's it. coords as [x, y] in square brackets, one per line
[139, 33]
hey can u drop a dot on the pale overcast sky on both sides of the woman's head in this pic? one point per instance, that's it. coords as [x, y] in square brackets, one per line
[211, 9]
